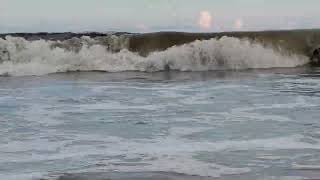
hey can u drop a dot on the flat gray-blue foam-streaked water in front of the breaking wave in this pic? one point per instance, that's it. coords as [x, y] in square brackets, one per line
[245, 125]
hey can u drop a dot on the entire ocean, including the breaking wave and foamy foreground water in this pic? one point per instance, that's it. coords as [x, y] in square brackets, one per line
[136, 106]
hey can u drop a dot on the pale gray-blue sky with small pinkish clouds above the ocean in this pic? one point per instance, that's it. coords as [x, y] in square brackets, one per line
[157, 15]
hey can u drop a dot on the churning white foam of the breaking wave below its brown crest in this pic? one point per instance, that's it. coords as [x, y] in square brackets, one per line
[19, 57]
